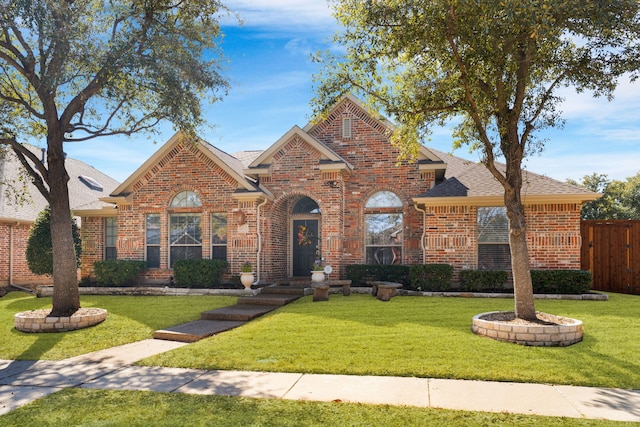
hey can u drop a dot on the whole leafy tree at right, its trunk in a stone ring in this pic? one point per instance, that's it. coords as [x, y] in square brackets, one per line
[491, 67]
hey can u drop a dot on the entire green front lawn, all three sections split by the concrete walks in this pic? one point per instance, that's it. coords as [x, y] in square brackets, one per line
[408, 336]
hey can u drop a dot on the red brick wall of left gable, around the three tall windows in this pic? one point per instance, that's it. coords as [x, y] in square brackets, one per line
[183, 168]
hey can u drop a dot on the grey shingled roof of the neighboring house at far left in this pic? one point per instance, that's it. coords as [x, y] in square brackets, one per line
[86, 186]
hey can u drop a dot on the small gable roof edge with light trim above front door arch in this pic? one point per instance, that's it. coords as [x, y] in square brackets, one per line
[329, 158]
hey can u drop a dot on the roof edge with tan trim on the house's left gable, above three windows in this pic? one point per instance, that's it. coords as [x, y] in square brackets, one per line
[225, 161]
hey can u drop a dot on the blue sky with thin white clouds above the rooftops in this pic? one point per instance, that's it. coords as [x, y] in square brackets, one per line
[271, 76]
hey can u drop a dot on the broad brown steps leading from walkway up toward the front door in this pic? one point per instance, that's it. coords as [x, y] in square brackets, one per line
[222, 319]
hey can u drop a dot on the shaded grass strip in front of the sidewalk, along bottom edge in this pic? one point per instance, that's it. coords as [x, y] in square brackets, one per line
[119, 408]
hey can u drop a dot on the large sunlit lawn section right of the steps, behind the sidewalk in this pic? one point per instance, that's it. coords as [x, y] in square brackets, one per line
[424, 337]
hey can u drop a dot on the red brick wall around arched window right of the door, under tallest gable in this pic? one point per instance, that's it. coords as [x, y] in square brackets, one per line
[374, 162]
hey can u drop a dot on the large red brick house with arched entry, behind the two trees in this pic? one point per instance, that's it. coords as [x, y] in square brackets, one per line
[332, 191]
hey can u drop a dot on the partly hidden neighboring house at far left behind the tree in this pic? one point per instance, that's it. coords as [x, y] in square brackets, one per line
[21, 202]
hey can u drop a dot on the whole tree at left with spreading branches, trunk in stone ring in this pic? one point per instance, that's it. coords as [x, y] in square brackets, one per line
[75, 70]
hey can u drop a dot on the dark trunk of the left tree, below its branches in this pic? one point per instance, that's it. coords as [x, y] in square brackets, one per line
[66, 298]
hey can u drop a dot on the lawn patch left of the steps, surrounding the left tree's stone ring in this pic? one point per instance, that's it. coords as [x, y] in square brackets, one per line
[130, 318]
